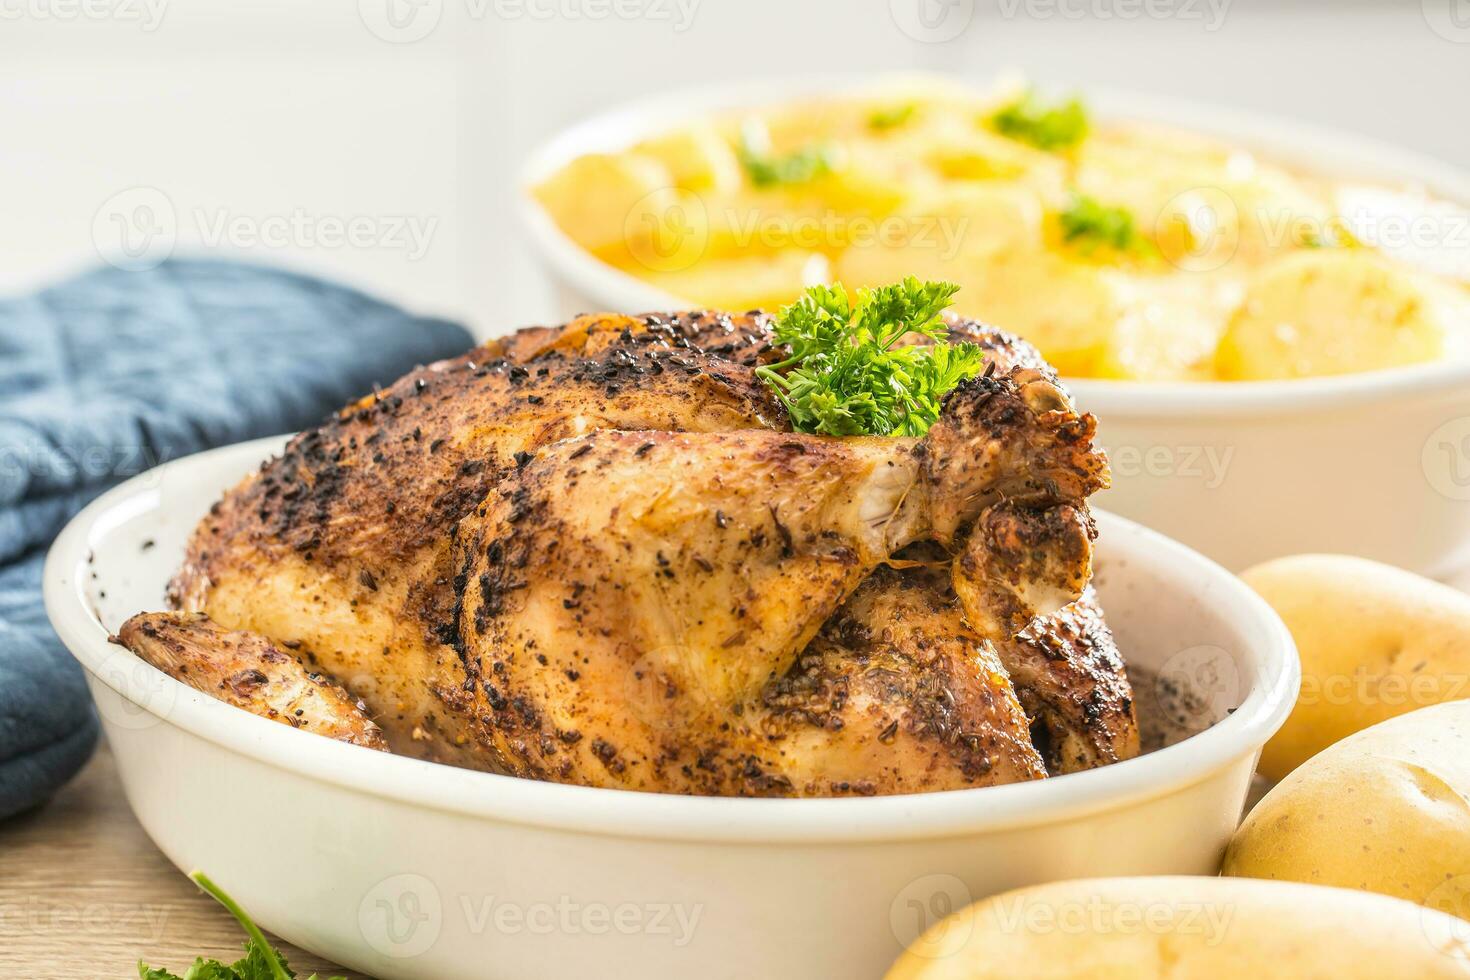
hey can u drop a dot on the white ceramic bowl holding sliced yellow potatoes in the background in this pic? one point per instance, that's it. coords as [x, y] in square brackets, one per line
[1375, 465]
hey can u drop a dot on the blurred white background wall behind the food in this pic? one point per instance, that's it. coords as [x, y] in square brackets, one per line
[261, 114]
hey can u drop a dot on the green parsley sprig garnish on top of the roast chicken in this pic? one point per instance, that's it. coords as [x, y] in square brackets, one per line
[850, 371]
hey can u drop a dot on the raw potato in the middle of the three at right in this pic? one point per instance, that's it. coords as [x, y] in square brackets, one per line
[1385, 812]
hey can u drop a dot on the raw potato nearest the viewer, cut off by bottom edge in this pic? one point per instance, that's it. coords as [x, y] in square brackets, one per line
[1187, 929]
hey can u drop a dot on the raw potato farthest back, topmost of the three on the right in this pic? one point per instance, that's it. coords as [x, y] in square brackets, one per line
[1375, 643]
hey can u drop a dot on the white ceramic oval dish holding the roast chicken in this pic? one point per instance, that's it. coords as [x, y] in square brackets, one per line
[406, 869]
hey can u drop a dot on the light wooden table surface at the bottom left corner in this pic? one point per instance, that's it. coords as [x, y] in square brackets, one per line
[85, 896]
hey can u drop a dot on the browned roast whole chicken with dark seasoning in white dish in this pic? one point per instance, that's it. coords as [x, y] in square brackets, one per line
[599, 555]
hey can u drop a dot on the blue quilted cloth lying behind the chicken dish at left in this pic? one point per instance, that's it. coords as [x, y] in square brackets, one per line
[112, 372]
